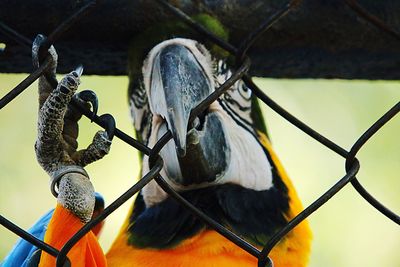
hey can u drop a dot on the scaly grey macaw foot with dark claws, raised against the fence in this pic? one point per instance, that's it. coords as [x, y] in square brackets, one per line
[56, 145]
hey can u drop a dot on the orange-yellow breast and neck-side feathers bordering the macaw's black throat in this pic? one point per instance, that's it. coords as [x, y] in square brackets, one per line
[209, 248]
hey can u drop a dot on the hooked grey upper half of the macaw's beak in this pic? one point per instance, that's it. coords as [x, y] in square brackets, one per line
[178, 84]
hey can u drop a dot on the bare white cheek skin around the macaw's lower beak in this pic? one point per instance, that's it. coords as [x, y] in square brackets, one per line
[248, 167]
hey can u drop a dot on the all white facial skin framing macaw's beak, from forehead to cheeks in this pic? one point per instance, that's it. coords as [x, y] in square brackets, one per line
[248, 165]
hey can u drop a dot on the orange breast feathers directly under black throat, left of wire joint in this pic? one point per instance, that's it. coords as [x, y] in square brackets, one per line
[208, 248]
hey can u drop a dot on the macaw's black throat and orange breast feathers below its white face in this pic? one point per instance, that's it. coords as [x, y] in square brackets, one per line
[168, 235]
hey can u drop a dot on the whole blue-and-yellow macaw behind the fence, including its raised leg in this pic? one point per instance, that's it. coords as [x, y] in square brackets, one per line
[222, 162]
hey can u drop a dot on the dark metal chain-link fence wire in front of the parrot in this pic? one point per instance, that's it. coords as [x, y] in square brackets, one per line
[352, 165]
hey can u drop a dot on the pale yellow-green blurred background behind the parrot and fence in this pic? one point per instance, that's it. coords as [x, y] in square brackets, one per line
[347, 230]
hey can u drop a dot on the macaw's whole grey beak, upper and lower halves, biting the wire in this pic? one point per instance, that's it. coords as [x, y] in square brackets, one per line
[179, 77]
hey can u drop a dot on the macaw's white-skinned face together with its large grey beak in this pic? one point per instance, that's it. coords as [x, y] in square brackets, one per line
[218, 146]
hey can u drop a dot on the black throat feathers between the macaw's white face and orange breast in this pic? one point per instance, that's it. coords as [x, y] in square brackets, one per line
[253, 214]
